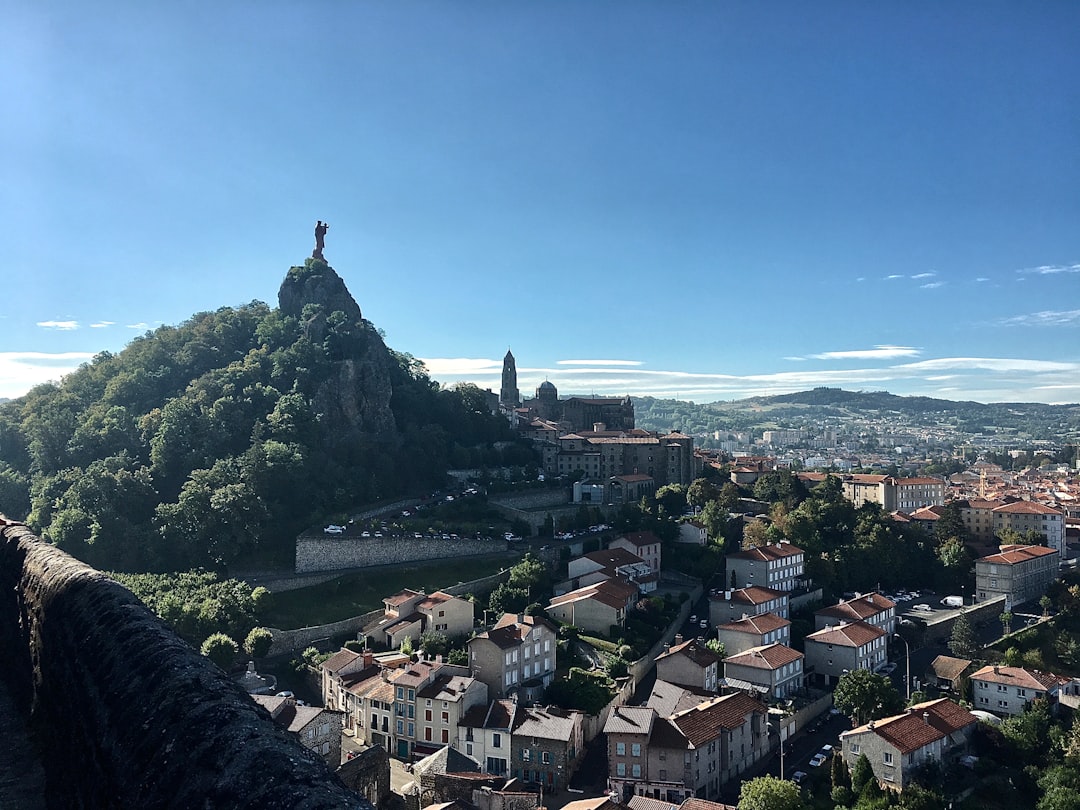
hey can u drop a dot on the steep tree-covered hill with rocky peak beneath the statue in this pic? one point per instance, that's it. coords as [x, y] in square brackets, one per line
[220, 439]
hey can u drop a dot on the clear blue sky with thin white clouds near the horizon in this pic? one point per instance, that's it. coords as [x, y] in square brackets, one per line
[704, 200]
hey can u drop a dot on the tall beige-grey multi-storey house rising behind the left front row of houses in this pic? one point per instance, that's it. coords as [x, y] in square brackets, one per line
[519, 653]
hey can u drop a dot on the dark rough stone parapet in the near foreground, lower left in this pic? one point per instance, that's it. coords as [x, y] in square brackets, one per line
[124, 713]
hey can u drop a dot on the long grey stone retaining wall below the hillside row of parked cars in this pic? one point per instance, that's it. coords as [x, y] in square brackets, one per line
[336, 553]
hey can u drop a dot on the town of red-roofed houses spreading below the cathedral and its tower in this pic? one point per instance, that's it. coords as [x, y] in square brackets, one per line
[749, 660]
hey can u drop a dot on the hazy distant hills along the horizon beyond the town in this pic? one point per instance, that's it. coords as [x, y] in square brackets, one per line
[1034, 422]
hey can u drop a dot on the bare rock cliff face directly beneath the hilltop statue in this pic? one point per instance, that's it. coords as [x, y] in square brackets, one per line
[355, 399]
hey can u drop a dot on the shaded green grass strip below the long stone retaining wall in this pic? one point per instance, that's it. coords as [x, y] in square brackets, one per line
[358, 593]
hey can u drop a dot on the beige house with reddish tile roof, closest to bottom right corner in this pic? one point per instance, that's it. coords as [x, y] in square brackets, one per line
[898, 747]
